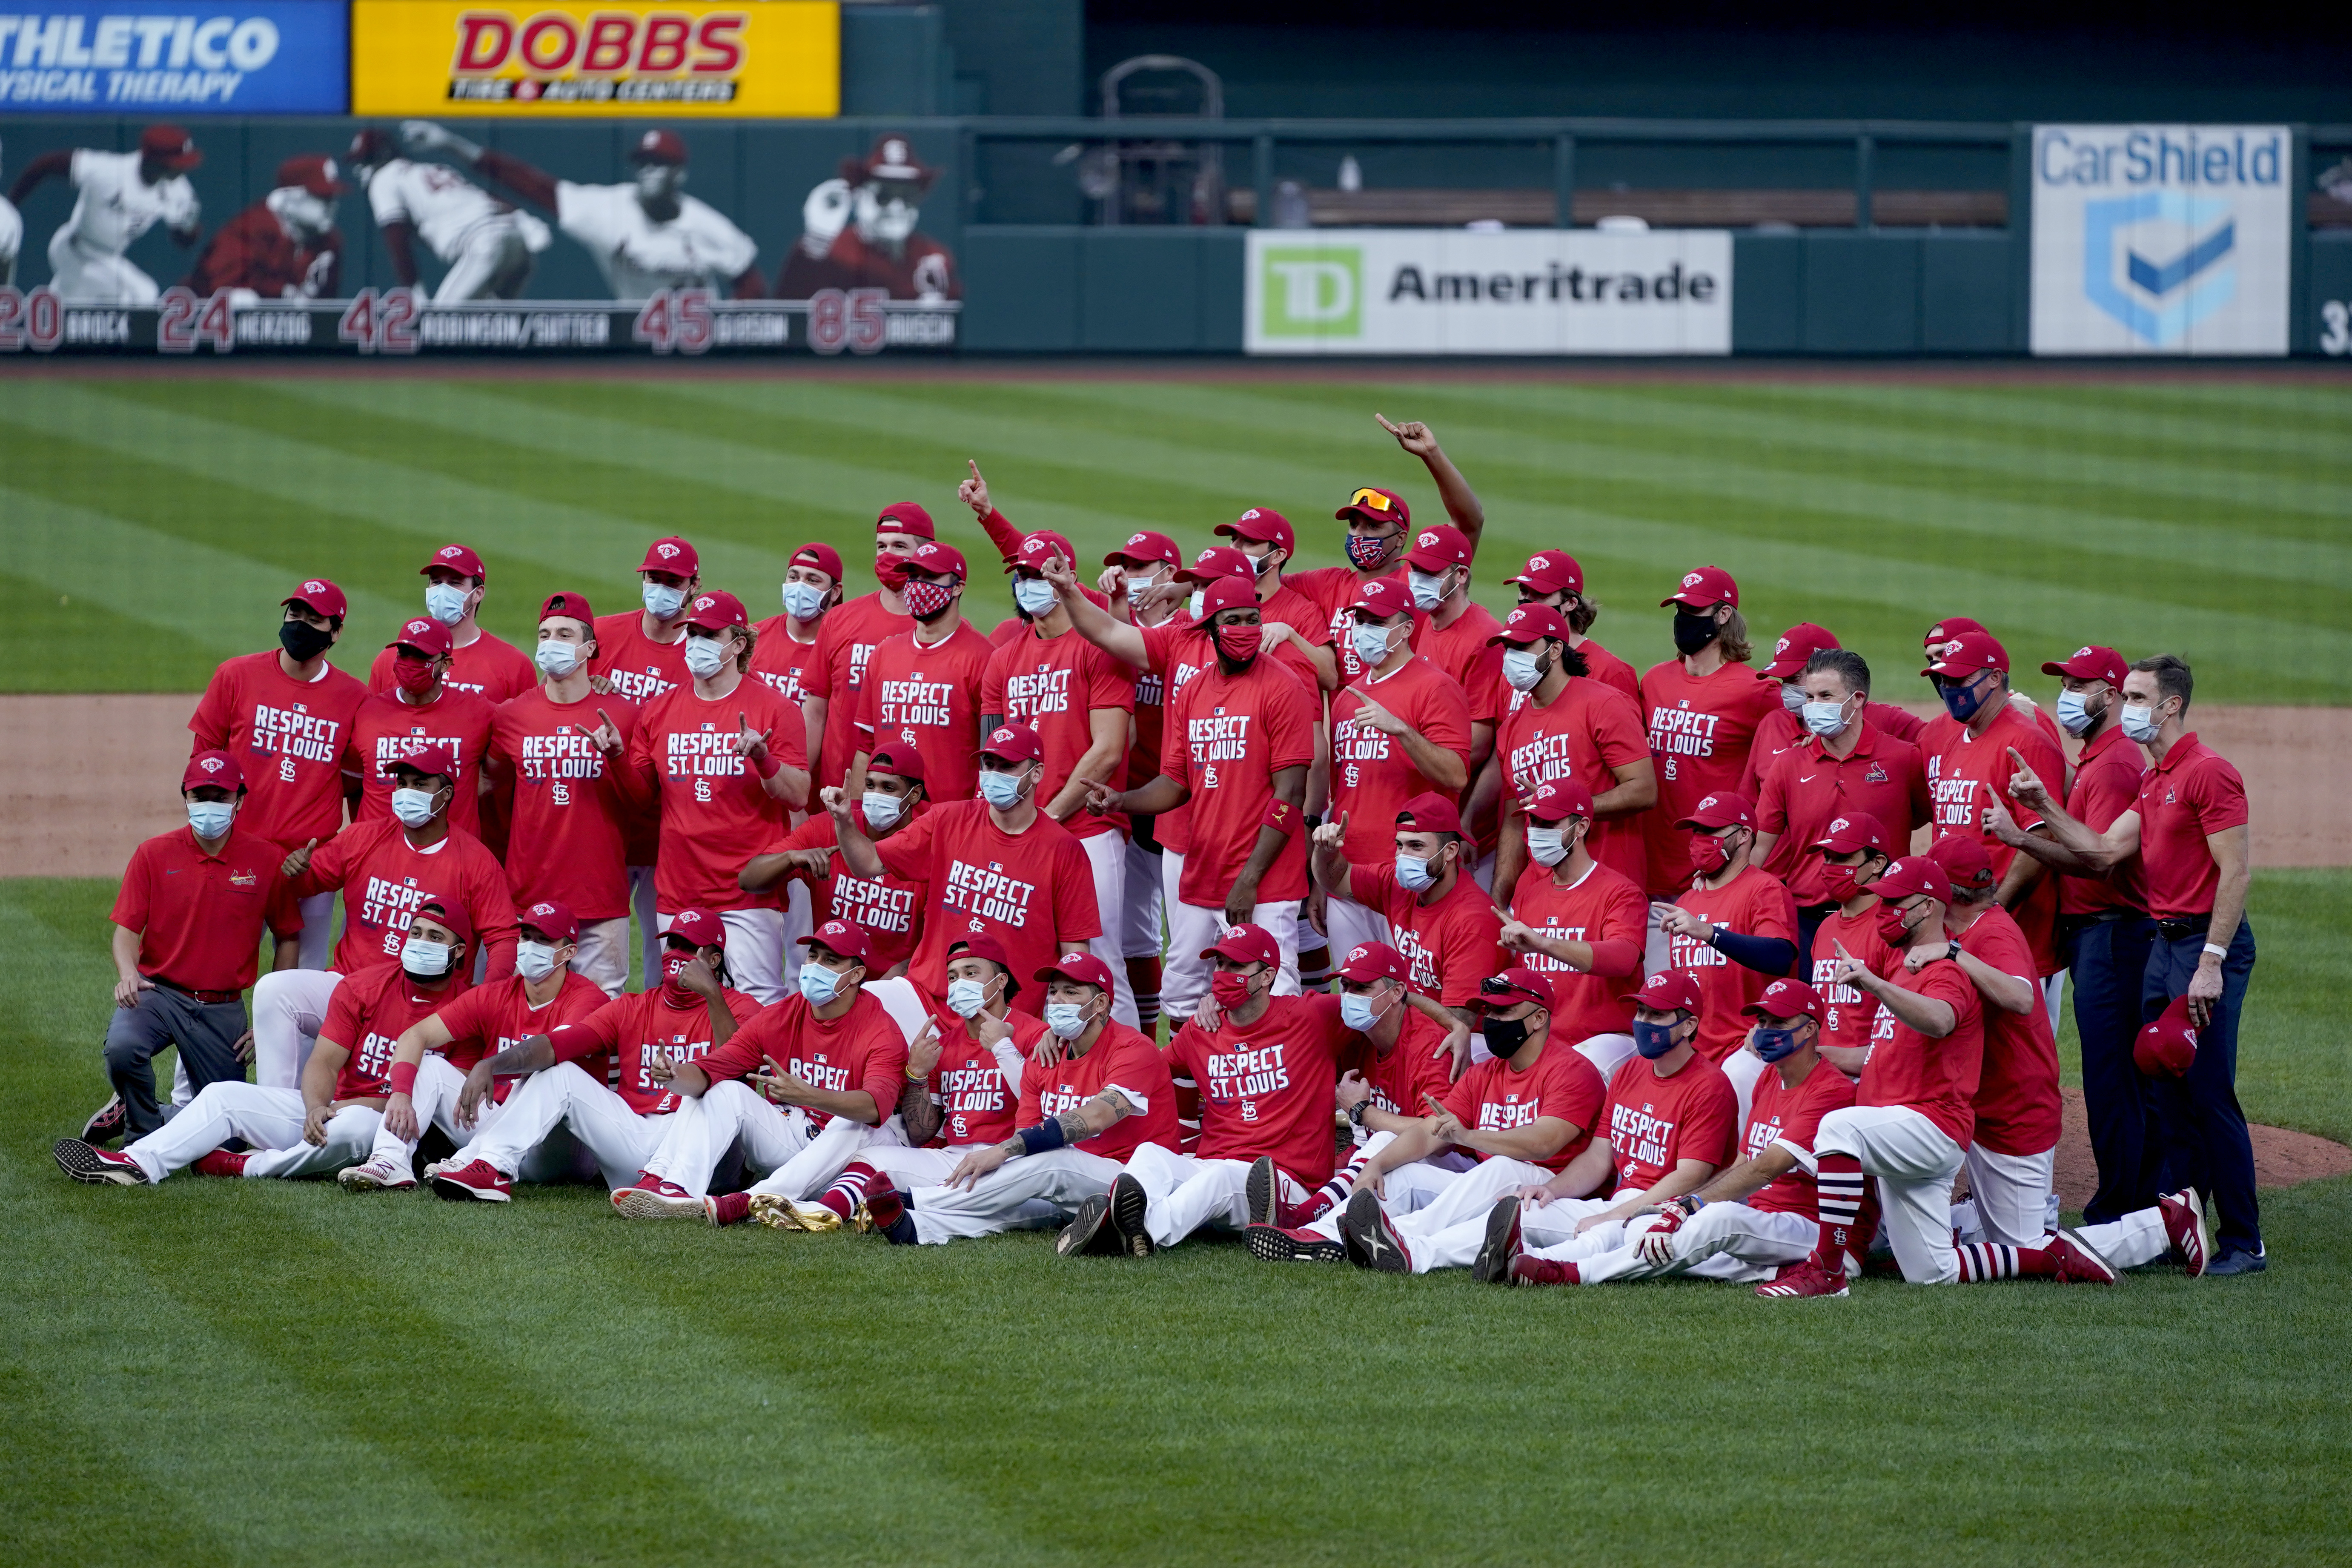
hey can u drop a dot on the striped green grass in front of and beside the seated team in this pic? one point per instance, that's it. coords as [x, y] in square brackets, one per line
[288, 1374]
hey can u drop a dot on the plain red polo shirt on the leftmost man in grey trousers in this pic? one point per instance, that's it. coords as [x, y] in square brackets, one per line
[201, 918]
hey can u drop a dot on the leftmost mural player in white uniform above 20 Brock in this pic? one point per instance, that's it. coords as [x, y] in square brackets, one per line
[119, 196]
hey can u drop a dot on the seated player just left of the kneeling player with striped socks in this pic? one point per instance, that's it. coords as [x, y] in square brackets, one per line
[1756, 1217]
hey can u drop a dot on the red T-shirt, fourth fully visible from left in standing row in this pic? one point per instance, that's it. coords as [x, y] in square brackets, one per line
[716, 815]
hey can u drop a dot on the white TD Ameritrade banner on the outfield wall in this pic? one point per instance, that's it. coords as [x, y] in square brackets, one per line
[1464, 293]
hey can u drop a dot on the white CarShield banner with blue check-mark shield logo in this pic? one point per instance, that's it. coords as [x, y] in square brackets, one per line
[2163, 239]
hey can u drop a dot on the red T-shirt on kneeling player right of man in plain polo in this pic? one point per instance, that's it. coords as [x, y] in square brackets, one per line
[385, 878]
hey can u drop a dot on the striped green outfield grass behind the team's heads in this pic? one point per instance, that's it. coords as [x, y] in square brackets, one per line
[159, 521]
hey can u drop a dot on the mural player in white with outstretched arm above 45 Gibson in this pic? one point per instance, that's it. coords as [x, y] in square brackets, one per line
[646, 236]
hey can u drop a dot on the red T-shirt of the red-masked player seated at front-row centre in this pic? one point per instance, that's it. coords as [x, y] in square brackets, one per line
[1267, 1087]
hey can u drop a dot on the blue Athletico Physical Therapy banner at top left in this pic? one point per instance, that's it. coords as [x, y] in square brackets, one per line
[126, 58]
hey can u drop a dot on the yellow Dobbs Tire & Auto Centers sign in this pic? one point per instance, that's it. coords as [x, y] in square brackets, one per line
[601, 60]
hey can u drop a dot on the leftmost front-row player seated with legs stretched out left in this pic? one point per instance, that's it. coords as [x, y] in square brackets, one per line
[330, 1123]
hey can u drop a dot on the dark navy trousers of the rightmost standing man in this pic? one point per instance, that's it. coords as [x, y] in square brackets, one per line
[2198, 1115]
